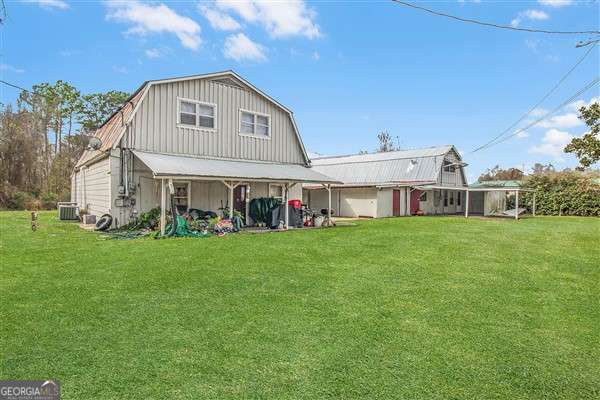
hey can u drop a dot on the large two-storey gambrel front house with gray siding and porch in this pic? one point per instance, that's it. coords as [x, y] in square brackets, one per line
[211, 141]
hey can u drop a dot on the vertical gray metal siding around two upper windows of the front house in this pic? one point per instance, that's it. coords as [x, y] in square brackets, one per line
[154, 127]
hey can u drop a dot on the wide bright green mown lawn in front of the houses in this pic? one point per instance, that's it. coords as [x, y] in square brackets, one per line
[412, 308]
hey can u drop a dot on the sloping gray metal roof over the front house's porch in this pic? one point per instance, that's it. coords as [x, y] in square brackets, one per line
[173, 165]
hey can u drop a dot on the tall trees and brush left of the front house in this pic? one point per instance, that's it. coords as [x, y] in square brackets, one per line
[41, 138]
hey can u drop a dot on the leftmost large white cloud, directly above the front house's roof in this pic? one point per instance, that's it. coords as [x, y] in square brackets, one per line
[159, 18]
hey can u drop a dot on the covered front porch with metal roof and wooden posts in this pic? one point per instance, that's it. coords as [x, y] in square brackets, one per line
[219, 185]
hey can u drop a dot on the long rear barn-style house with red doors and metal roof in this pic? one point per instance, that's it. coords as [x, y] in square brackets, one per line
[396, 183]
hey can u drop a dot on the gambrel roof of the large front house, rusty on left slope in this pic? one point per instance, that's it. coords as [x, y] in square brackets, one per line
[111, 131]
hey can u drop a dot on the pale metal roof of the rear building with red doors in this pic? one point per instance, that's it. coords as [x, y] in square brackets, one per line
[401, 167]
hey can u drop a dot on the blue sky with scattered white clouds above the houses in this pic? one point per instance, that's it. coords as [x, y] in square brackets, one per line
[347, 70]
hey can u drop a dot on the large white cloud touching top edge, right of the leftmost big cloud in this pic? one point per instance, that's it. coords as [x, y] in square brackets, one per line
[279, 19]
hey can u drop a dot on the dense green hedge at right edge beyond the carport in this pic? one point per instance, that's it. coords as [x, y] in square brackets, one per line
[564, 193]
